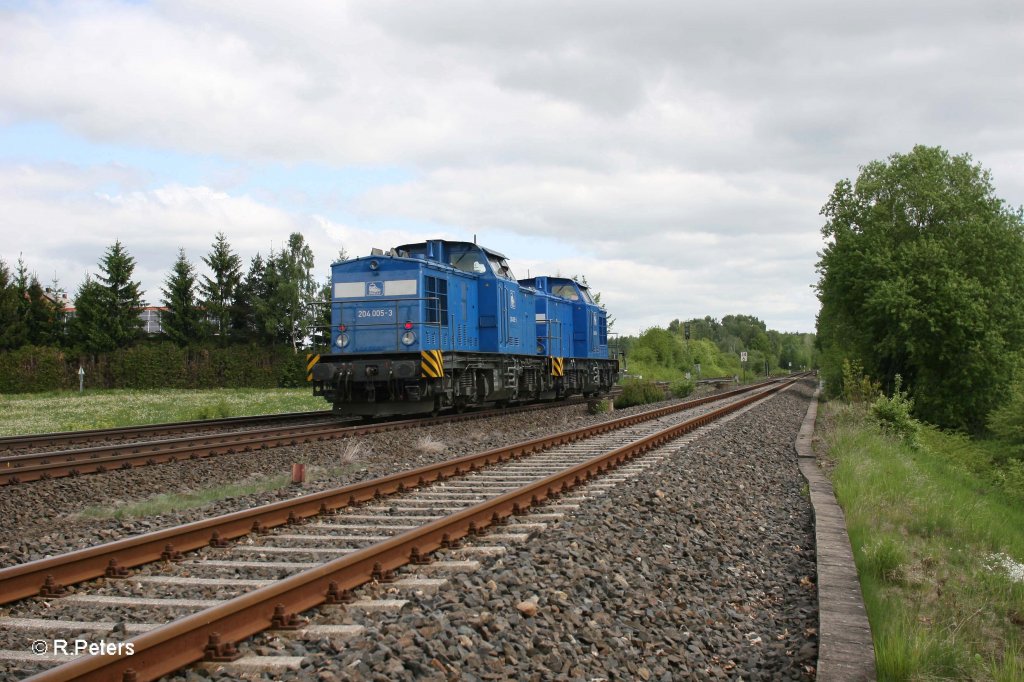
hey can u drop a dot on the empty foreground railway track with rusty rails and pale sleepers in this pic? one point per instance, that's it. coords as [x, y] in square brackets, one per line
[363, 533]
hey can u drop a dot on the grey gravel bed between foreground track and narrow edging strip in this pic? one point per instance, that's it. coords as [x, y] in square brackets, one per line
[703, 570]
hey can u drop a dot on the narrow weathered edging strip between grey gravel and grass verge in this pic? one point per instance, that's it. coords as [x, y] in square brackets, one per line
[845, 649]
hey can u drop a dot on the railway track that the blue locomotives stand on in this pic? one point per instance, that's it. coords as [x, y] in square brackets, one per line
[99, 459]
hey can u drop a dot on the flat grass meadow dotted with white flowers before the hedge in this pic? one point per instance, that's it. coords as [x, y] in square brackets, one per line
[64, 411]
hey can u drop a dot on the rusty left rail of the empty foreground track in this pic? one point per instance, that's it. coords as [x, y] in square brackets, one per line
[50, 576]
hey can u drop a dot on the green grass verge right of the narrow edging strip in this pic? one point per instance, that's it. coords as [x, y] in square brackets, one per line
[928, 529]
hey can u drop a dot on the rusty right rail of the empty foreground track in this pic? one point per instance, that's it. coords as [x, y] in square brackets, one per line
[180, 644]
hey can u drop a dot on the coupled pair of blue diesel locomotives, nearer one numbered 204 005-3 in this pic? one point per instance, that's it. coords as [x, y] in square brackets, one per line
[445, 325]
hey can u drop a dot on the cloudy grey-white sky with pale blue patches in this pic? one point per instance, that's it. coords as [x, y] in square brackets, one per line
[675, 154]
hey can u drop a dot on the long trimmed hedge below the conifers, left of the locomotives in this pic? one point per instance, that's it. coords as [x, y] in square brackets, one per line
[159, 365]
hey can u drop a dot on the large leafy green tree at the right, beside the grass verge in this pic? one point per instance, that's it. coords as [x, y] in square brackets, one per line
[923, 276]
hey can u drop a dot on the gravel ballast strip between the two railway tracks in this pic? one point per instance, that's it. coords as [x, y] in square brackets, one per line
[45, 519]
